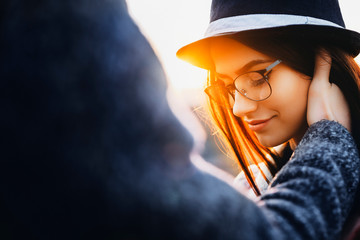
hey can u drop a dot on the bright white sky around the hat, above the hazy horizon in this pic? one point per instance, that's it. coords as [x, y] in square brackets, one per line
[171, 24]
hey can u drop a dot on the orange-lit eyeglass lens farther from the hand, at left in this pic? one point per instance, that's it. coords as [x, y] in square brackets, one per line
[220, 96]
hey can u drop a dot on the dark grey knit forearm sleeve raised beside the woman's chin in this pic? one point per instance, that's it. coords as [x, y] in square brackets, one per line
[311, 196]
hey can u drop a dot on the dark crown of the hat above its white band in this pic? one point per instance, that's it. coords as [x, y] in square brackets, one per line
[323, 9]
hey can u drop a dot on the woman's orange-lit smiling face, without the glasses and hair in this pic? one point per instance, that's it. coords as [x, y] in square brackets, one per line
[282, 116]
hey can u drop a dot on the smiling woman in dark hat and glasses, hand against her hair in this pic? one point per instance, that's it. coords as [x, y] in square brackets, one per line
[264, 60]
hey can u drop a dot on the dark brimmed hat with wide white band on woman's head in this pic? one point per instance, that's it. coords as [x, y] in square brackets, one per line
[235, 16]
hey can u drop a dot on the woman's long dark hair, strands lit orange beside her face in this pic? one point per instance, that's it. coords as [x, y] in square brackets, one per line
[296, 47]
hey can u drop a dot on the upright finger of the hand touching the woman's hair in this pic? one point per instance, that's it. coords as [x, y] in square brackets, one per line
[322, 66]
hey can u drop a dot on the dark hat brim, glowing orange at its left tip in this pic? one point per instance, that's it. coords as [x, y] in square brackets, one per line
[198, 53]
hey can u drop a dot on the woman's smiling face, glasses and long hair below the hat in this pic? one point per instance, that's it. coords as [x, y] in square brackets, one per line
[274, 110]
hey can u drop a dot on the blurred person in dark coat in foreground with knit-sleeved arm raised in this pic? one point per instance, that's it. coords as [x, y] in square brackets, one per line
[91, 150]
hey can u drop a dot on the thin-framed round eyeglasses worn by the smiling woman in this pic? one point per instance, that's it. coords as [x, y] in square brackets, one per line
[253, 85]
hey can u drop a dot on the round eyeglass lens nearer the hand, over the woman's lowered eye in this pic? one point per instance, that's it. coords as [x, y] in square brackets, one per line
[253, 86]
